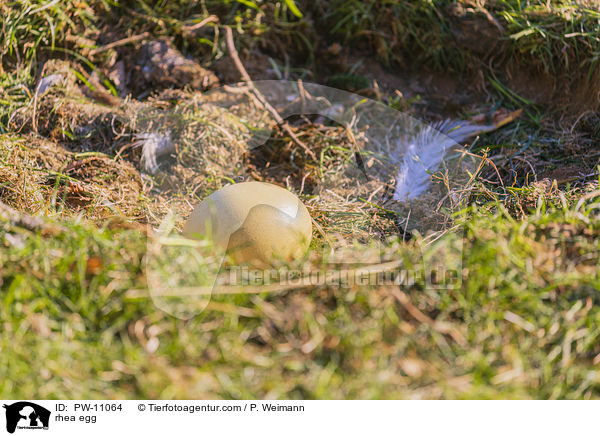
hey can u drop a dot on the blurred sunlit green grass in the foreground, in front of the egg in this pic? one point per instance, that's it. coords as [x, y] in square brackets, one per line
[523, 324]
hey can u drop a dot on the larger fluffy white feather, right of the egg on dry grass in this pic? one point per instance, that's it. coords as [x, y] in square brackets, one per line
[425, 152]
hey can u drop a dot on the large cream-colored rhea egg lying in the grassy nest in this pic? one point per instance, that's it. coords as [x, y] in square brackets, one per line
[257, 223]
